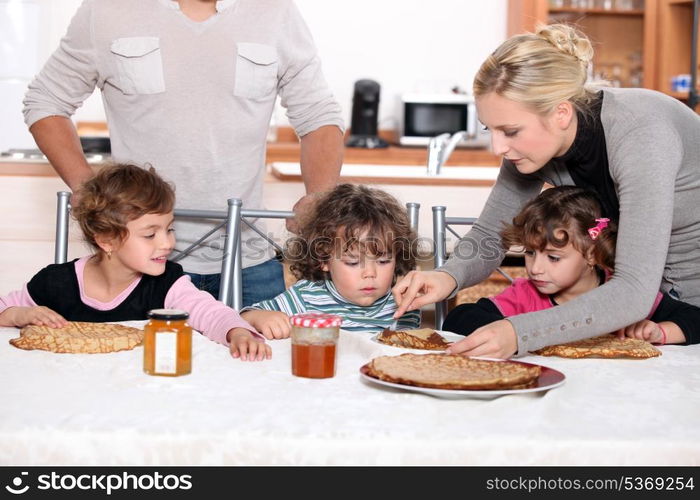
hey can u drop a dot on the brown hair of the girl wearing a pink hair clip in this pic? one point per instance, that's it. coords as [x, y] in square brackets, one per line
[560, 215]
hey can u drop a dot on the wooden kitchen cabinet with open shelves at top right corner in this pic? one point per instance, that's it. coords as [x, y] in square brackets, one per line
[638, 47]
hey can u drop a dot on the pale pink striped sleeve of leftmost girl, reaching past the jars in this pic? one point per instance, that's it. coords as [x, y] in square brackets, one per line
[207, 314]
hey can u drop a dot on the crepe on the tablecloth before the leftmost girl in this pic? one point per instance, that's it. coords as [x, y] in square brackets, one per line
[79, 337]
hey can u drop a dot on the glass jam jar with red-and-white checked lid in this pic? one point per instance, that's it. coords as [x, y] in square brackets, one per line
[314, 341]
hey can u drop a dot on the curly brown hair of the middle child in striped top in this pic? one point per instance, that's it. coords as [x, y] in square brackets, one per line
[352, 216]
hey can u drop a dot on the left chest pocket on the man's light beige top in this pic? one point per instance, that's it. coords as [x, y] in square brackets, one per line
[139, 65]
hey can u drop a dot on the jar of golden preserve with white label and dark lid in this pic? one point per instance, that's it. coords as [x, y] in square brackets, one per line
[167, 343]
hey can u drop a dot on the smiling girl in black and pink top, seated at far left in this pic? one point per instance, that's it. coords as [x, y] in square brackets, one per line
[126, 214]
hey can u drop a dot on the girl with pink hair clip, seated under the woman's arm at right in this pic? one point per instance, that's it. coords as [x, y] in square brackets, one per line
[569, 250]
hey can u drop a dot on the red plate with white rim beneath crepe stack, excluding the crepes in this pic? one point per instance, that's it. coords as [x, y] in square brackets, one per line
[549, 379]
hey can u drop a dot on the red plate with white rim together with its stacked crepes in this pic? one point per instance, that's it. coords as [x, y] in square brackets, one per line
[457, 377]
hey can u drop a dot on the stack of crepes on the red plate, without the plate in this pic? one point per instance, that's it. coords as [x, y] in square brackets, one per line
[442, 371]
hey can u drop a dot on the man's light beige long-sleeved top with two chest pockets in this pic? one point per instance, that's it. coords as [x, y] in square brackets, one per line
[192, 99]
